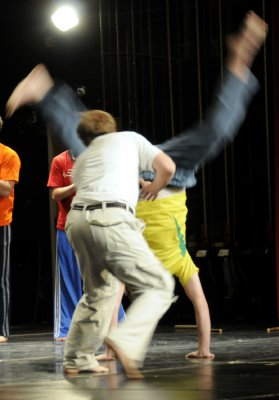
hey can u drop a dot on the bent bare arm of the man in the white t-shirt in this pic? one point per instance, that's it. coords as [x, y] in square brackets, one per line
[164, 168]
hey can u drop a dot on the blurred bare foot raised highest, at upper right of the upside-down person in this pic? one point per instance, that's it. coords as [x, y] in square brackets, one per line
[244, 45]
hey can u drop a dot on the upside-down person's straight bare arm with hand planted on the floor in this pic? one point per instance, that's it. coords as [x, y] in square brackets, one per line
[194, 292]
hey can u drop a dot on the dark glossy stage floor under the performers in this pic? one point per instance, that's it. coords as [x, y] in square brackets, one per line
[246, 367]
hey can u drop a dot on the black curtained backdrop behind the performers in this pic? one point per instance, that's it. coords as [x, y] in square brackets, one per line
[153, 64]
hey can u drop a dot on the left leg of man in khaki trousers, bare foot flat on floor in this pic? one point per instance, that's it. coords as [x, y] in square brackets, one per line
[93, 313]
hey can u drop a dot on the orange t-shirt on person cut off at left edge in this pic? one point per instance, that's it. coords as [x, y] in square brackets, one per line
[9, 171]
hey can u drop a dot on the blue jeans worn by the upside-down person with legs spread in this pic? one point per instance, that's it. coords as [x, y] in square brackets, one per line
[190, 149]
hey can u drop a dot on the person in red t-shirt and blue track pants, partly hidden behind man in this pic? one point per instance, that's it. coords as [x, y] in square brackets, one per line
[67, 281]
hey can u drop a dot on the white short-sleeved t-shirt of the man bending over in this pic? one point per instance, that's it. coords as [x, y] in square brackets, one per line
[108, 170]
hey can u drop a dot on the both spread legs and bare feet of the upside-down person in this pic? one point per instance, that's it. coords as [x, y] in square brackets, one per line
[220, 124]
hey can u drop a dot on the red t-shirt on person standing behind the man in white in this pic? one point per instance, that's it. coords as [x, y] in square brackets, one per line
[58, 178]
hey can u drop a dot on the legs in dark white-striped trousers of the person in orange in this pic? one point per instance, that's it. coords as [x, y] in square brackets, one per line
[5, 240]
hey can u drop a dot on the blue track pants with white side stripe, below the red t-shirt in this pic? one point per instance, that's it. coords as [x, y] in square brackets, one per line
[68, 286]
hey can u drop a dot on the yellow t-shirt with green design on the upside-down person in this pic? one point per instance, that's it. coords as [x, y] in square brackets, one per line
[165, 229]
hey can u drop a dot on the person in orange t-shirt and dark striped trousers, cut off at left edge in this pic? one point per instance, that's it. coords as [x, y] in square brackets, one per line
[9, 176]
